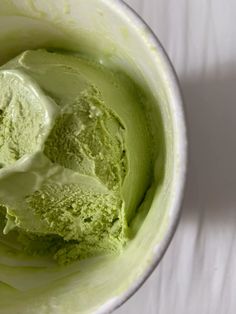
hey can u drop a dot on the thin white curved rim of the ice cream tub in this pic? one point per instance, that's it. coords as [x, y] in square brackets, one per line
[182, 149]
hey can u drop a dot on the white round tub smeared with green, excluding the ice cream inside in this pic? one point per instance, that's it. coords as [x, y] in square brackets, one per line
[113, 29]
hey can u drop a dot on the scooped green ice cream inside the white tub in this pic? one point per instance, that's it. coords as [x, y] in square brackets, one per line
[75, 155]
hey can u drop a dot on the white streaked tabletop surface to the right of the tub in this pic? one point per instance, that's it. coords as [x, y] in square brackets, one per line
[198, 273]
